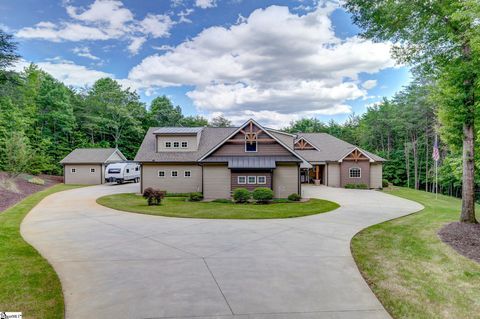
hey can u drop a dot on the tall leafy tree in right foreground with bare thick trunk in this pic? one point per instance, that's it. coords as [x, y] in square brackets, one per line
[441, 38]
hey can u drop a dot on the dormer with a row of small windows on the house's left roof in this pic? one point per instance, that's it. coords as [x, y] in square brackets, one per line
[178, 139]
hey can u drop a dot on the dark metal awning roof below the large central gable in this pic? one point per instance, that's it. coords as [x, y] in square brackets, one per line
[250, 161]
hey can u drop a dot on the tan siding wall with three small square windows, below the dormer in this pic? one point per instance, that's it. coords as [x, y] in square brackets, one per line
[179, 184]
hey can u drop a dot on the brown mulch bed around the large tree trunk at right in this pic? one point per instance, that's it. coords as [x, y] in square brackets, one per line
[464, 238]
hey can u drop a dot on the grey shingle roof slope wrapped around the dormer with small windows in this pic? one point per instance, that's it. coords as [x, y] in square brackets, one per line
[209, 138]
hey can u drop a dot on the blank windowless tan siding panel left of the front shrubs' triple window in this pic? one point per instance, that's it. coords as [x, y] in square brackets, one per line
[216, 181]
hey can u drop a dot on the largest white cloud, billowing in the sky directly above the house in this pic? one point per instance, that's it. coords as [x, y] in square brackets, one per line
[274, 61]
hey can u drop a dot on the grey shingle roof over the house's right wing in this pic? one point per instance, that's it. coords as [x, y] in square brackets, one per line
[329, 148]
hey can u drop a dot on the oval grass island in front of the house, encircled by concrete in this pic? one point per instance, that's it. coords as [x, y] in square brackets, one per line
[178, 207]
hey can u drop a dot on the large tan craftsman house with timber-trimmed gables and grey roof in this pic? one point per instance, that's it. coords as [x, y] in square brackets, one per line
[216, 161]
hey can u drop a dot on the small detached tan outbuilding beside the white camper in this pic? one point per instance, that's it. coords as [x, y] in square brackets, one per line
[87, 165]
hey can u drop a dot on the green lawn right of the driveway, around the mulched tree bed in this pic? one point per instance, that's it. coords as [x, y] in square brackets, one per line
[412, 272]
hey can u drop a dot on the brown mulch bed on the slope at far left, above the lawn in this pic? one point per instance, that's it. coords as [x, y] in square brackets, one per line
[8, 198]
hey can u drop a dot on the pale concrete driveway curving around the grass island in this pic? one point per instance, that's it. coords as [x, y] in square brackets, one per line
[123, 265]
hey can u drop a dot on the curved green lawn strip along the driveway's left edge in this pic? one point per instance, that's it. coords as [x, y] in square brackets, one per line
[28, 282]
